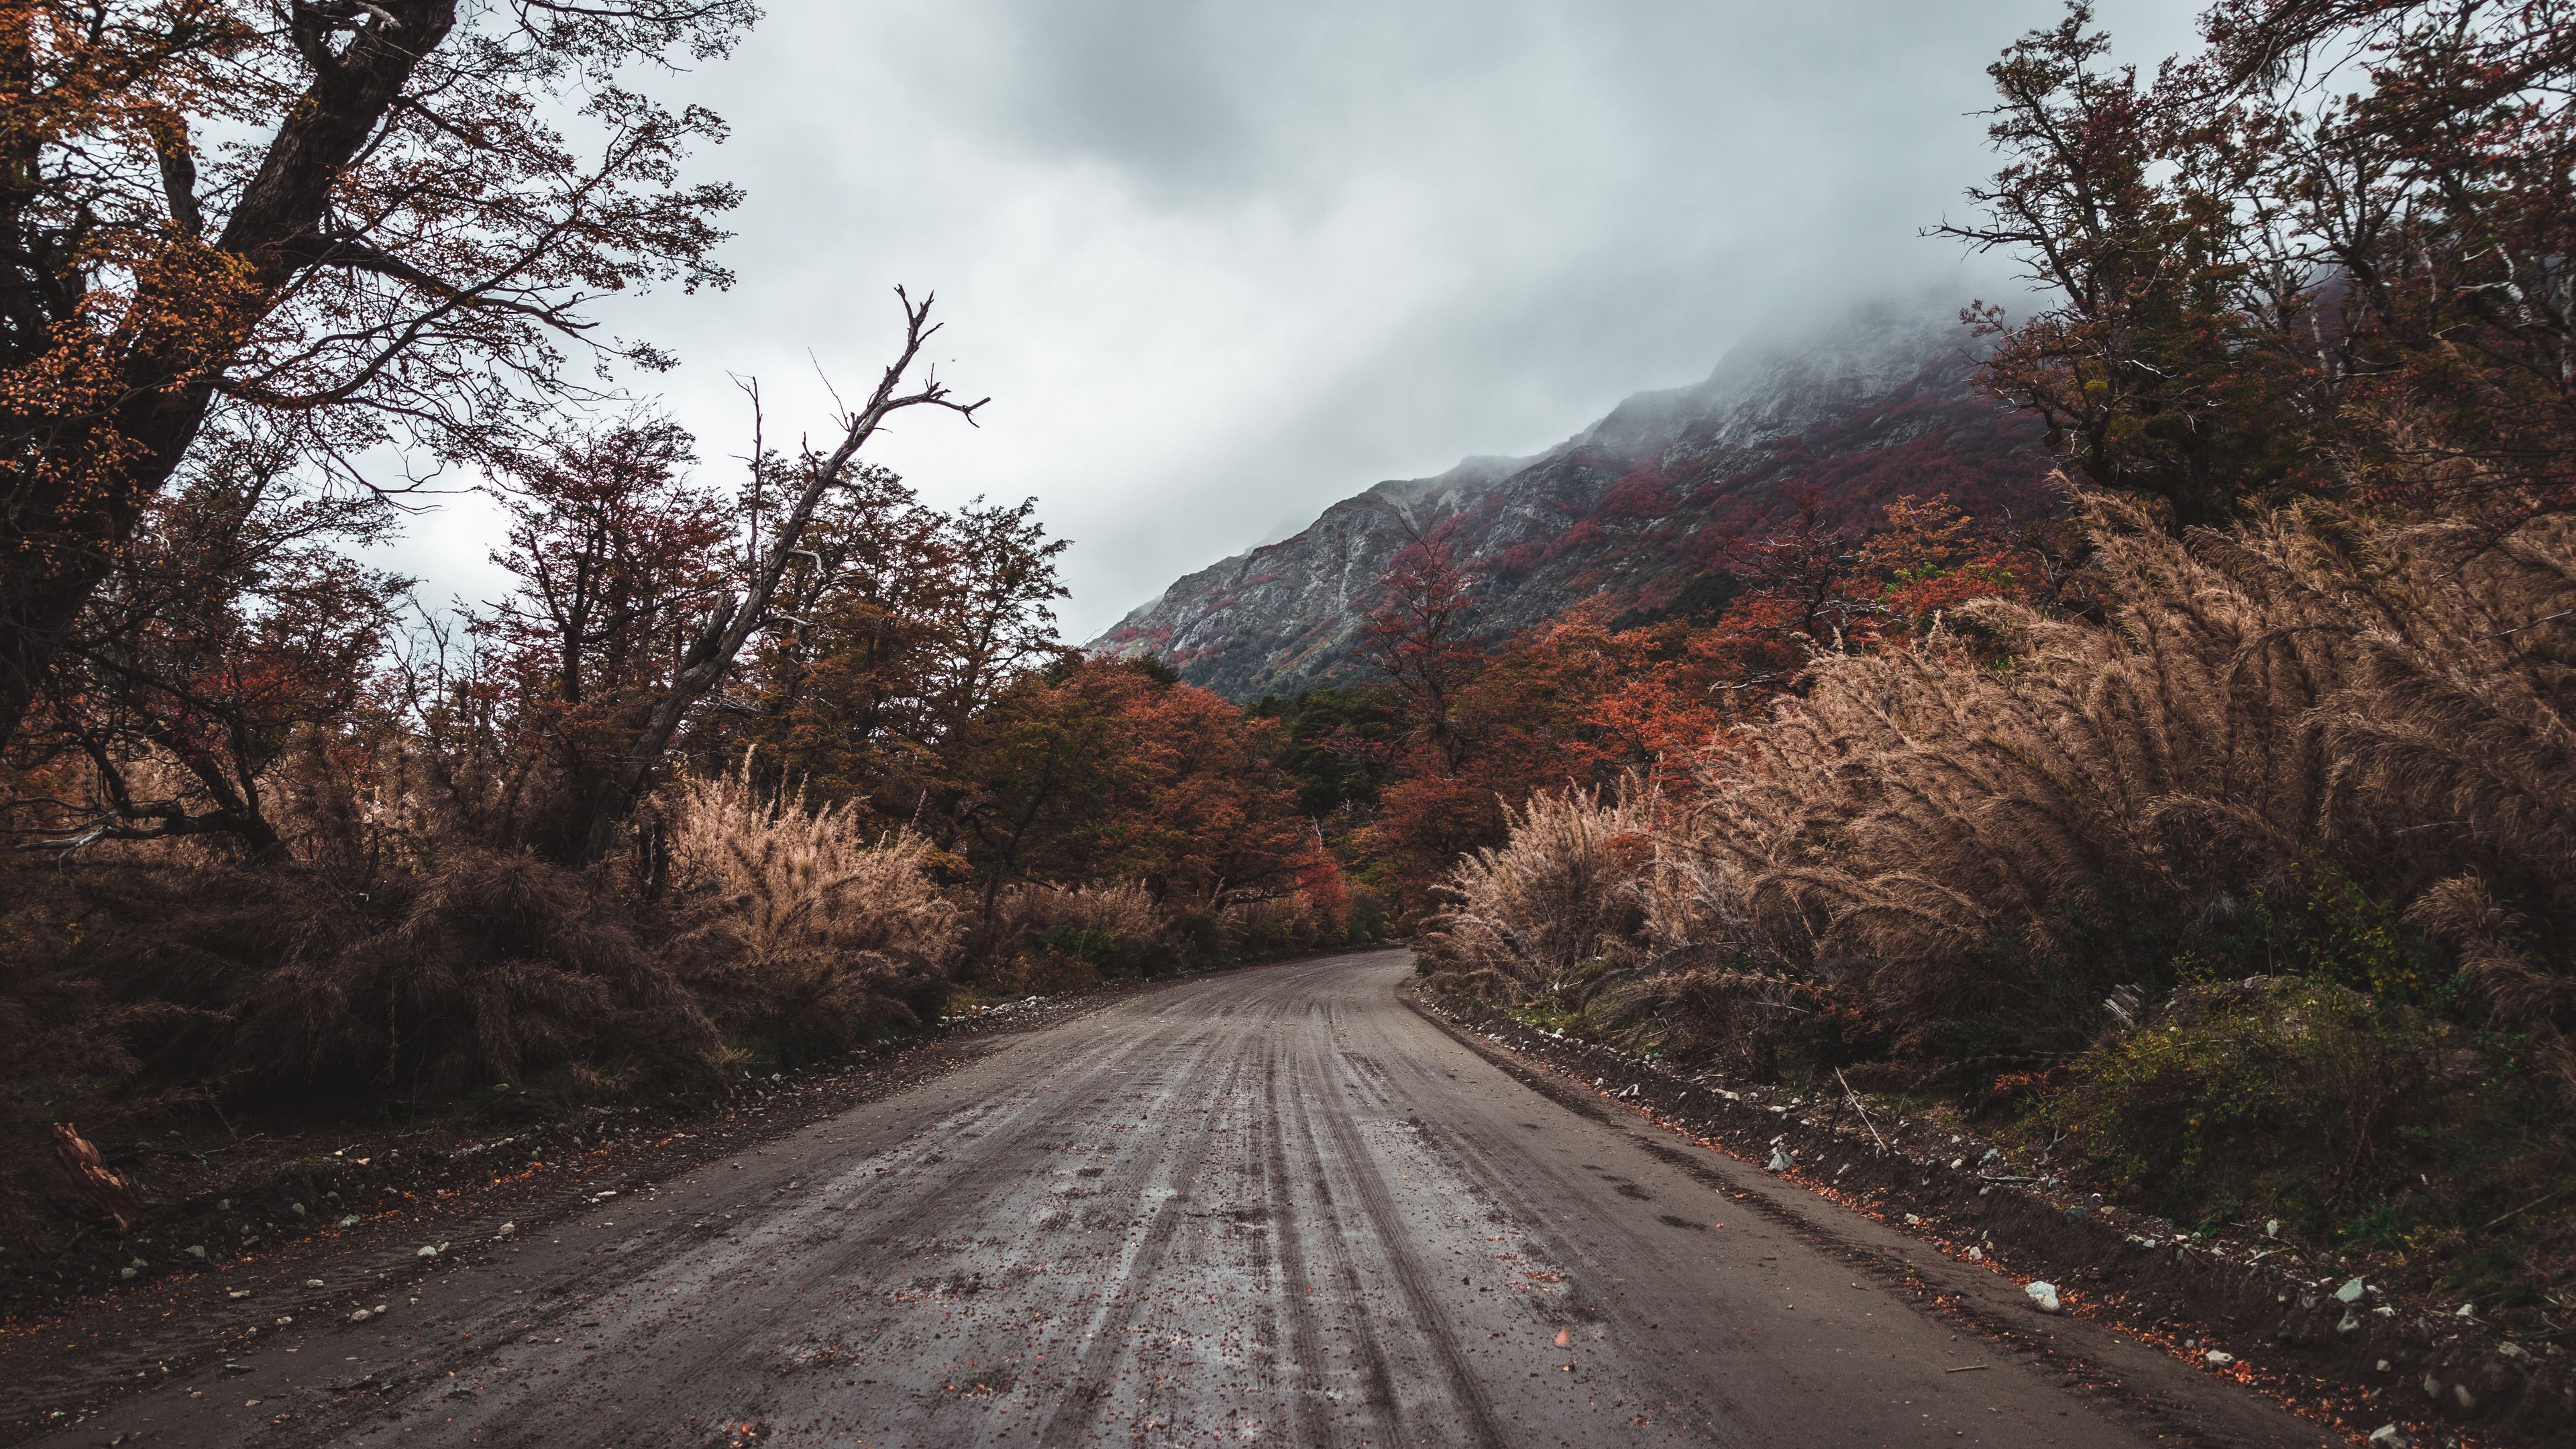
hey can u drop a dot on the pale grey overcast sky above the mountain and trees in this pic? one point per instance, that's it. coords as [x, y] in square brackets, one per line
[1222, 264]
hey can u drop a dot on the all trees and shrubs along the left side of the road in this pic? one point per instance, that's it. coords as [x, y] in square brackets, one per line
[738, 775]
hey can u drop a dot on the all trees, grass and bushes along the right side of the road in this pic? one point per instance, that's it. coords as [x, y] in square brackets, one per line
[2214, 839]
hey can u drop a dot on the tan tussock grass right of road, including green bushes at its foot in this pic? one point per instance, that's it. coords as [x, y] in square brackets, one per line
[2327, 749]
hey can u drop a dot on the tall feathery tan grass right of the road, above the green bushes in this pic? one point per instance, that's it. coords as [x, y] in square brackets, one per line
[1946, 837]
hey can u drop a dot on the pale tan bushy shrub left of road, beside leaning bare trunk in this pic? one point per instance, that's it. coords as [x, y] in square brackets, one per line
[815, 937]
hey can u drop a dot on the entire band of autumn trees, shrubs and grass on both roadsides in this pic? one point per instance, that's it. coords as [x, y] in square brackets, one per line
[2217, 834]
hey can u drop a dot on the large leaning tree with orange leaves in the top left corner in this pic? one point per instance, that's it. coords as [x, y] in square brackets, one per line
[357, 220]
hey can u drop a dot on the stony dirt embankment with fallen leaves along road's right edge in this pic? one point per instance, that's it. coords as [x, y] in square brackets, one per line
[2278, 1316]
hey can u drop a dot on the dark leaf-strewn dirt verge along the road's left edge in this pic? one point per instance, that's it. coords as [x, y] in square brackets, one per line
[323, 1221]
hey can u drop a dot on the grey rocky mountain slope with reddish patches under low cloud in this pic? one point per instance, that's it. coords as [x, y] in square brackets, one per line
[1645, 507]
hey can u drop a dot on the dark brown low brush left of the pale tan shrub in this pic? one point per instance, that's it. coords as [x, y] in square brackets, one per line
[176, 978]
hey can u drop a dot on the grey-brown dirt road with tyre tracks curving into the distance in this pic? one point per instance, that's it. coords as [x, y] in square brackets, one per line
[1261, 1208]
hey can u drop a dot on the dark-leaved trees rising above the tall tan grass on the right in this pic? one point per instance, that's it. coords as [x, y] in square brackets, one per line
[2327, 251]
